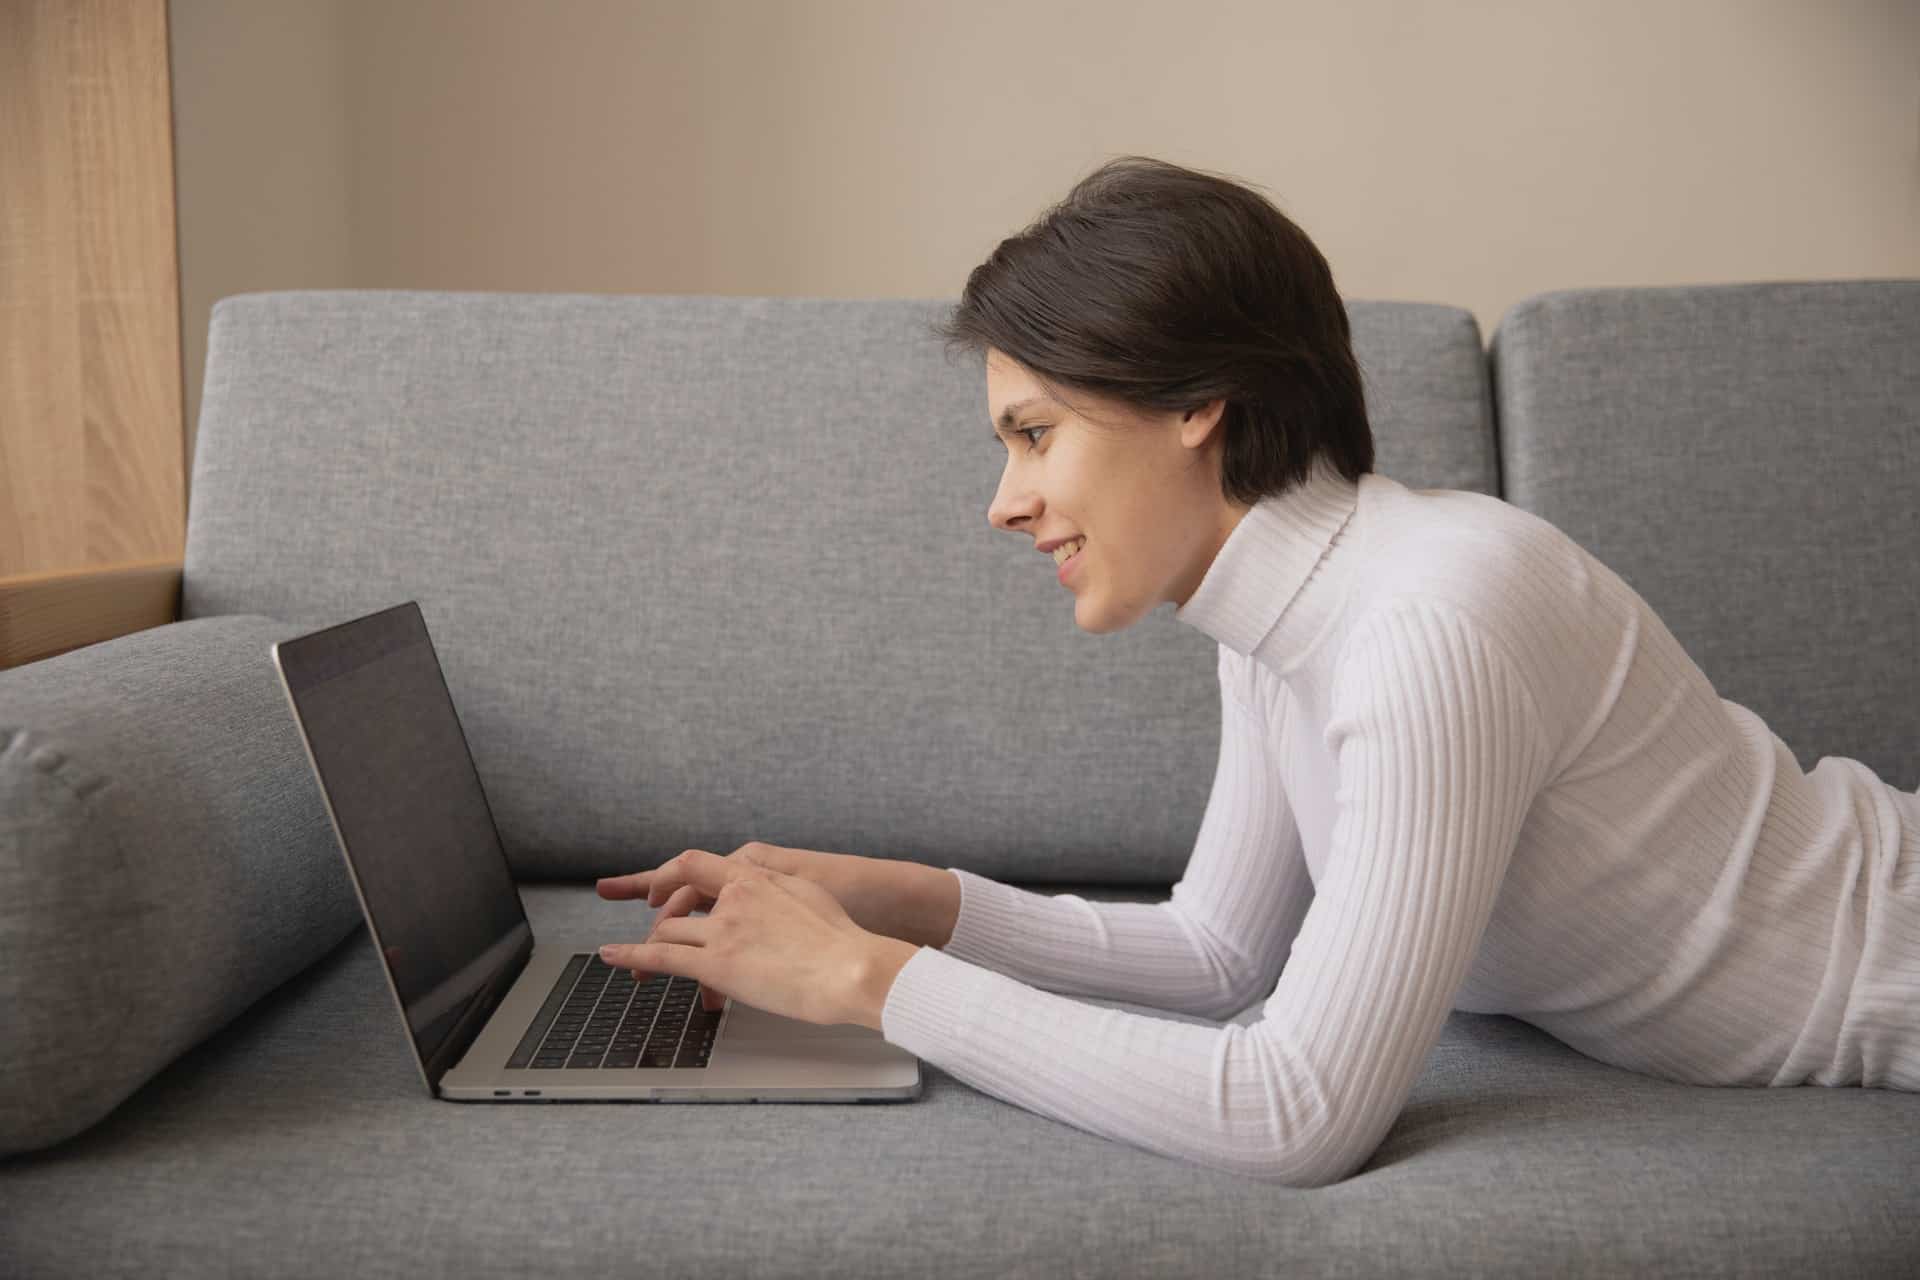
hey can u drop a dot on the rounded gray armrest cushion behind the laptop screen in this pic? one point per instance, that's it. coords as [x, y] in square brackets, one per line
[164, 863]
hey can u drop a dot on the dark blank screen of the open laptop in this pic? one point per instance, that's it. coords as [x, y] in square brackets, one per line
[416, 824]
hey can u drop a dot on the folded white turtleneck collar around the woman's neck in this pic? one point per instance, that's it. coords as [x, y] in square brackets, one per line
[1259, 592]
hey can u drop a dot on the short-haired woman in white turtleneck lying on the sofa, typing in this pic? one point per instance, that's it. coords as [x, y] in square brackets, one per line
[1462, 765]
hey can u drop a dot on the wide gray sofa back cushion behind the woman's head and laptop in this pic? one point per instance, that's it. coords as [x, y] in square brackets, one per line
[708, 571]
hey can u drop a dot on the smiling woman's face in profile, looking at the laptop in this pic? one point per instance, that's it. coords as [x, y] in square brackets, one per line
[1141, 490]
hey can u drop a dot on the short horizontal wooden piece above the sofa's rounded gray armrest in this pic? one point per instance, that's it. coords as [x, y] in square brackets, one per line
[45, 615]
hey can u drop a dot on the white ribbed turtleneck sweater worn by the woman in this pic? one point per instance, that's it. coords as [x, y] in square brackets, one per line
[1462, 767]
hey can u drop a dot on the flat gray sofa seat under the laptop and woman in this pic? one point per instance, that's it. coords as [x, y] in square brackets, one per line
[289, 1156]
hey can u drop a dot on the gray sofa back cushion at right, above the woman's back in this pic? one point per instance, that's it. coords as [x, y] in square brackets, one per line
[1748, 460]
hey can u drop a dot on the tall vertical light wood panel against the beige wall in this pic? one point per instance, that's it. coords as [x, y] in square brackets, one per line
[91, 396]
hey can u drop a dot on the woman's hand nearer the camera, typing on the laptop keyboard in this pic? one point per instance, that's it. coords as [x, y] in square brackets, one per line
[775, 941]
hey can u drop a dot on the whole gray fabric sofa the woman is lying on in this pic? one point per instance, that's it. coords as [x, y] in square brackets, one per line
[706, 571]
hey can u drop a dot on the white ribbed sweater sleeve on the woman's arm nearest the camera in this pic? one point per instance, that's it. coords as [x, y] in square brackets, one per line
[1441, 751]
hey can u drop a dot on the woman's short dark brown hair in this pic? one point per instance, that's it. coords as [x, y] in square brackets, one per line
[1164, 289]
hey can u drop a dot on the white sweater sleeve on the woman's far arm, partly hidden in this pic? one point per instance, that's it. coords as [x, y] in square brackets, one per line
[1211, 951]
